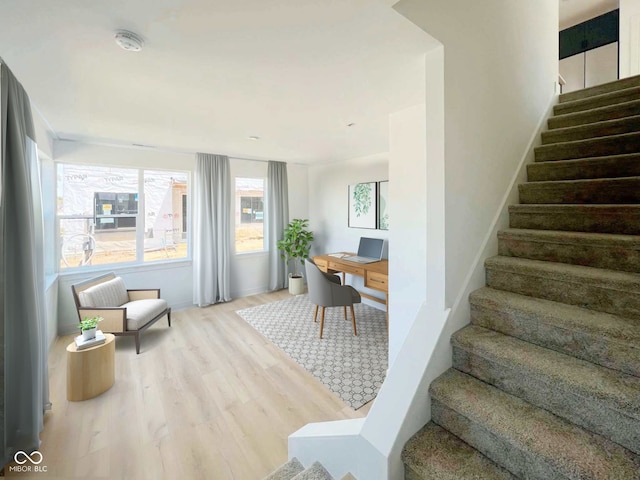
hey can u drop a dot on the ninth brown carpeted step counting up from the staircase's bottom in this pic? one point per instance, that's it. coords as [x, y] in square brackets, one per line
[614, 166]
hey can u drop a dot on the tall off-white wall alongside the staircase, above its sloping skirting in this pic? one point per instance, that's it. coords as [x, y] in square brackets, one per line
[499, 76]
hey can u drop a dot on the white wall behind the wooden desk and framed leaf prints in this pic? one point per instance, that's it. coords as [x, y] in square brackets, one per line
[328, 208]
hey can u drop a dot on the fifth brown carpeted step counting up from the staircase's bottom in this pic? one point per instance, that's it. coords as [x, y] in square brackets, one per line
[597, 289]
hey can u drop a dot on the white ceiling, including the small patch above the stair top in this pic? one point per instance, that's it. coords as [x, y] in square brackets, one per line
[215, 72]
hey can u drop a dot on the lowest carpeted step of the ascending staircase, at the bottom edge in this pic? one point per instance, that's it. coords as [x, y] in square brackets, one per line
[436, 454]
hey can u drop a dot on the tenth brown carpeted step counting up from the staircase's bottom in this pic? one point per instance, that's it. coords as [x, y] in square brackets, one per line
[591, 147]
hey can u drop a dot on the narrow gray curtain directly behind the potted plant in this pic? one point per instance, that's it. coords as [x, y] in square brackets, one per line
[277, 218]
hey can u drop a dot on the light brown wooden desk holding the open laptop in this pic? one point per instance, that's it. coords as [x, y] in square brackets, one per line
[376, 274]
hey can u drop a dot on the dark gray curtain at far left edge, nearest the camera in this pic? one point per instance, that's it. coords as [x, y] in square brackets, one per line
[23, 327]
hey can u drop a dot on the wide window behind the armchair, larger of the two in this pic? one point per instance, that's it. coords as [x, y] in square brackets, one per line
[103, 219]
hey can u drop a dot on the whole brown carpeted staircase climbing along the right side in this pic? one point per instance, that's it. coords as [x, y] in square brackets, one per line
[545, 381]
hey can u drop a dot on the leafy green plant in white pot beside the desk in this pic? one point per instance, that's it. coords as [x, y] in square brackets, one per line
[295, 245]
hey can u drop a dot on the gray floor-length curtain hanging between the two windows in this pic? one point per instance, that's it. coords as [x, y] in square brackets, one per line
[212, 230]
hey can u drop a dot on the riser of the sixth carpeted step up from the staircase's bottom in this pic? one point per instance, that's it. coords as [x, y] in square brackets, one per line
[615, 257]
